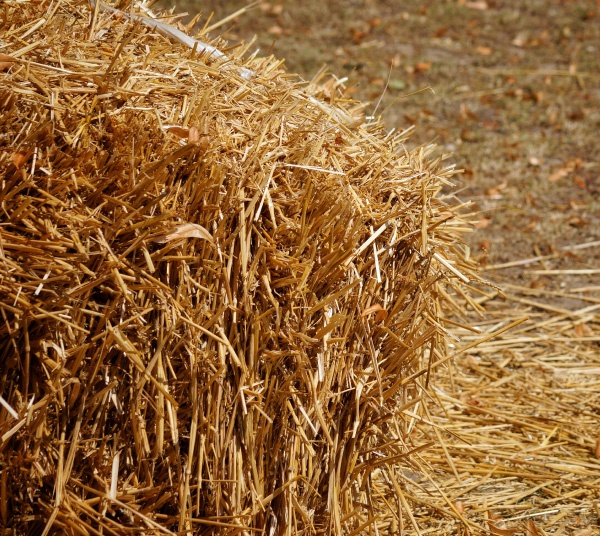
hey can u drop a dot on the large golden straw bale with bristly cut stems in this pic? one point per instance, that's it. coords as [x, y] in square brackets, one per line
[221, 291]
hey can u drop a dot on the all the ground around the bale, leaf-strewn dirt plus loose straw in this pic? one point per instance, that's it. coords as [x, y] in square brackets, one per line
[512, 90]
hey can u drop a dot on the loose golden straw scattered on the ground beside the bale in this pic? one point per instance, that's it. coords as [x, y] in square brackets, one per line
[516, 426]
